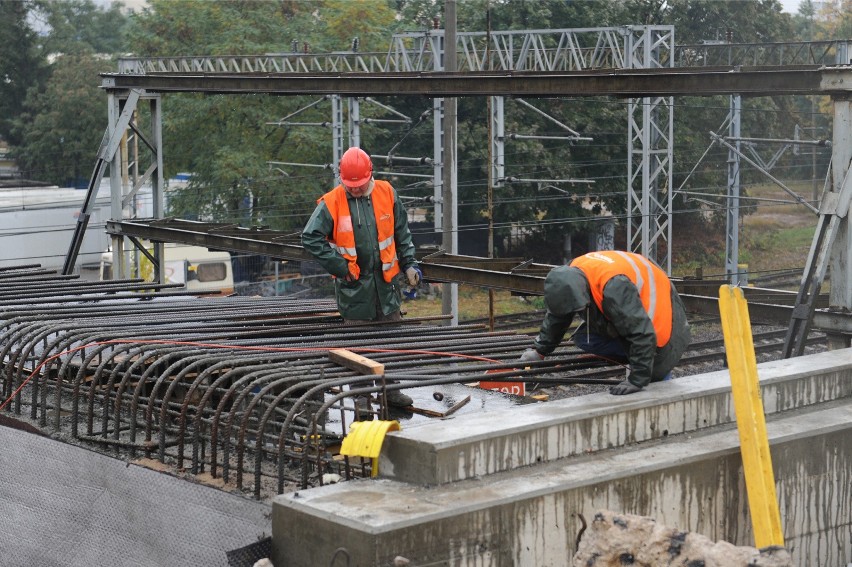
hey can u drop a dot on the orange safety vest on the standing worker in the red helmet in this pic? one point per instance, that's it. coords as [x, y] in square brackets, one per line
[343, 238]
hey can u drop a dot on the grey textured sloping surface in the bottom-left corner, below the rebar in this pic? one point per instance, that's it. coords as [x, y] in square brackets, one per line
[61, 505]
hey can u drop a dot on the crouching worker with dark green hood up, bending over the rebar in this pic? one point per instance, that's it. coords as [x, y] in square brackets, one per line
[631, 314]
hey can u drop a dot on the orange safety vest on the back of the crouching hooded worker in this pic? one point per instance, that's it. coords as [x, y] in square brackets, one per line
[653, 284]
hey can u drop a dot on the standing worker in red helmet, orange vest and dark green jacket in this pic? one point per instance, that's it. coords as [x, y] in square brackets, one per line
[359, 233]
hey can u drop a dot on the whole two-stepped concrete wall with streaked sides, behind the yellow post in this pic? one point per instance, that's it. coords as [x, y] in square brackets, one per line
[509, 488]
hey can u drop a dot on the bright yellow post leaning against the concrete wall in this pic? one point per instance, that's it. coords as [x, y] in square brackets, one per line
[751, 422]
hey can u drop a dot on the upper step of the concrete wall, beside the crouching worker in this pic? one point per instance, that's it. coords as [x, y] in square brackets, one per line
[471, 446]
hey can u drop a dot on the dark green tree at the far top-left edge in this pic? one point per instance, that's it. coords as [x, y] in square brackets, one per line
[21, 64]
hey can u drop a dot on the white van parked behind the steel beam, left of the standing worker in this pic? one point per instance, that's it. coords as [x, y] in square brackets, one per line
[196, 267]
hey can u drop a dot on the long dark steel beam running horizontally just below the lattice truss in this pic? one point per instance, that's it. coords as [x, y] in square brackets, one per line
[635, 83]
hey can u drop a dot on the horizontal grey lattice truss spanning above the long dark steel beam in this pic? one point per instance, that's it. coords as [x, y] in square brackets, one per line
[576, 49]
